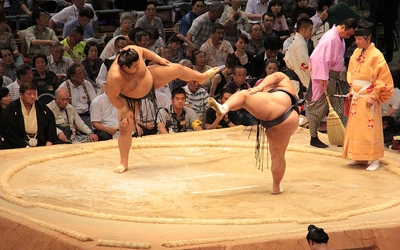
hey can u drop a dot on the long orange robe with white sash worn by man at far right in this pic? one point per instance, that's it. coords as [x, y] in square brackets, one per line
[369, 76]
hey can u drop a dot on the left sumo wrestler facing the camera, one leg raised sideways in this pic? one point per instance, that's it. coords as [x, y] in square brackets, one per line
[129, 81]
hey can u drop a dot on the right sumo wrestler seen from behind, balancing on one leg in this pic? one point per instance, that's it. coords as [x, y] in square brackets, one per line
[274, 102]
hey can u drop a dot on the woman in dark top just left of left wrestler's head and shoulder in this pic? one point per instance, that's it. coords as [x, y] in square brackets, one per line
[91, 62]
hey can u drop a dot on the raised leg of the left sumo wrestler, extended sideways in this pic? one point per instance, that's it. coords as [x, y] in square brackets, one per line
[164, 74]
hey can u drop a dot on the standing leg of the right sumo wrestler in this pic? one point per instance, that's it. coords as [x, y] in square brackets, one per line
[278, 139]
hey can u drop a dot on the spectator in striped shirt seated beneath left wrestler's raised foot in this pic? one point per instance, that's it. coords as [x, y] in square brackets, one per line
[196, 98]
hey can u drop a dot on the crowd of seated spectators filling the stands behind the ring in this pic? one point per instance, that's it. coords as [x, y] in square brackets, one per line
[54, 82]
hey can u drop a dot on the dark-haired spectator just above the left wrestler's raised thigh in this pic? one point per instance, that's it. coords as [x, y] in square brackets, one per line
[178, 44]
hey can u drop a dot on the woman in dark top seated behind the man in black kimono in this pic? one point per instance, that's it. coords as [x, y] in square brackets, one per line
[45, 81]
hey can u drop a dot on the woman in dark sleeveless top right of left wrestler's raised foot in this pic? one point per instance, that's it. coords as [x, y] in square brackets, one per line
[224, 76]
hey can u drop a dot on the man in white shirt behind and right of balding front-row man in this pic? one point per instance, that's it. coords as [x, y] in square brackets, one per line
[81, 91]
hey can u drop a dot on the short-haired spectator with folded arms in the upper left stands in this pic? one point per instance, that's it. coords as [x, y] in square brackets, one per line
[39, 37]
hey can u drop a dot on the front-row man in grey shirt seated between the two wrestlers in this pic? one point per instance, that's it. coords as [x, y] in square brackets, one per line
[177, 118]
